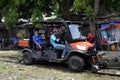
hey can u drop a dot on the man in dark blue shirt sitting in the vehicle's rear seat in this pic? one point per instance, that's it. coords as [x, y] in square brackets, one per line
[37, 39]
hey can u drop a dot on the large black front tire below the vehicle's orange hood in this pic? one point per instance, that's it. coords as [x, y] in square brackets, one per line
[76, 63]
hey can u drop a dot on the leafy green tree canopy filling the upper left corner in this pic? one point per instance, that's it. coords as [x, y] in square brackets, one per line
[12, 10]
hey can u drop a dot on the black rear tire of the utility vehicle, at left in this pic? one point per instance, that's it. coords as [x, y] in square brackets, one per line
[27, 58]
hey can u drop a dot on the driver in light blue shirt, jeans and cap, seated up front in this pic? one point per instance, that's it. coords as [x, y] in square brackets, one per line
[56, 43]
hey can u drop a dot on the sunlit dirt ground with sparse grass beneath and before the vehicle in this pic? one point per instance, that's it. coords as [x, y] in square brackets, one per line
[10, 69]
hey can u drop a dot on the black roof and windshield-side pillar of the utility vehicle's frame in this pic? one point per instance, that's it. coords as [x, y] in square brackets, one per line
[58, 24]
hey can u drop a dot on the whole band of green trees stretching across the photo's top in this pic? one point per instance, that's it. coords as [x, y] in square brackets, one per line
[13, 10]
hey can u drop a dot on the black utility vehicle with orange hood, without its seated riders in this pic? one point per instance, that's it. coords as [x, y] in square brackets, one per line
[80, 53]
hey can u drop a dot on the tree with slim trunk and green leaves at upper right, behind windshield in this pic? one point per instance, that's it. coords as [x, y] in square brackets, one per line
[95, 8]
